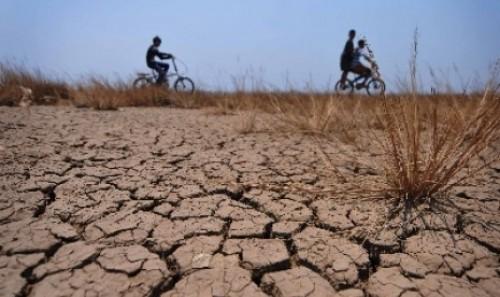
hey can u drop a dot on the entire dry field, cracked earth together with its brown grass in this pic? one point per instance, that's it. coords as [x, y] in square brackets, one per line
[249, 194]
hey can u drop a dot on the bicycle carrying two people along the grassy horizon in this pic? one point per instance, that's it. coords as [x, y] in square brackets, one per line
[375, 85]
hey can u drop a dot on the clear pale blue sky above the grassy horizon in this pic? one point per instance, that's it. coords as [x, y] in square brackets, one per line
[271, 43]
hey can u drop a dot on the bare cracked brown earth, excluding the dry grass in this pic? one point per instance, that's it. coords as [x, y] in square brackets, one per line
[168, 202]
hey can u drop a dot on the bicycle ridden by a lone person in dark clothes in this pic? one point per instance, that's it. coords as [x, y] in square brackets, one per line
[182, 83]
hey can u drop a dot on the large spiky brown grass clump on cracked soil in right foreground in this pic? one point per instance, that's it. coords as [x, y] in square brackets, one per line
[430, 147]
